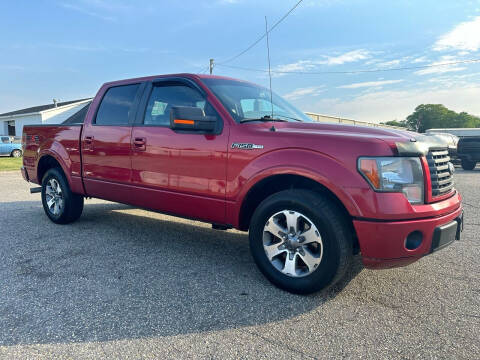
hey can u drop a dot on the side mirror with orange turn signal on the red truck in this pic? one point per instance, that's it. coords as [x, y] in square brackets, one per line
[191, 119]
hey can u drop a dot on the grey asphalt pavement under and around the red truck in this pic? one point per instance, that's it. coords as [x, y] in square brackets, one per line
[125, 283]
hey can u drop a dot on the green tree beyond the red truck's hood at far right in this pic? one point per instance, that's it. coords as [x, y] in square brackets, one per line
[429, 116]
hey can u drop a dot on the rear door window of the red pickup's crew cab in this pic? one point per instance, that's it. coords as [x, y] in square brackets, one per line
[117, 105]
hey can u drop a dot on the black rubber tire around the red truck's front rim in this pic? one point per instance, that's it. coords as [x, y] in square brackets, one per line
[335, 234]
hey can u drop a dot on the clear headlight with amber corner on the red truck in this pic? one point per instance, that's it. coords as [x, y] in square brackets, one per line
[394, 174]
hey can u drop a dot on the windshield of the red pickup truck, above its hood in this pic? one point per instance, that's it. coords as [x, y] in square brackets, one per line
[246, 101]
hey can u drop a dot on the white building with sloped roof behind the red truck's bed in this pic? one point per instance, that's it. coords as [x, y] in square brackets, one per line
[11, 123]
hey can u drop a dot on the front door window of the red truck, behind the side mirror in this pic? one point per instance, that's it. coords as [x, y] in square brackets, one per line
[163, 98]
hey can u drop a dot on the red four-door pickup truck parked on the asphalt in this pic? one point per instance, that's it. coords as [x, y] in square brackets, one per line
[230, 153]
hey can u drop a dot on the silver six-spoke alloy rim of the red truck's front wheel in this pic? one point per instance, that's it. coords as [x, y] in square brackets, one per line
[292, 243]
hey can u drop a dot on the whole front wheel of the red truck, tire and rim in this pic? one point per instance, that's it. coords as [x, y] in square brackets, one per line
[300, 241]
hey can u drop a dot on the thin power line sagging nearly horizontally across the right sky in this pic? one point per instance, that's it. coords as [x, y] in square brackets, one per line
[352, 71]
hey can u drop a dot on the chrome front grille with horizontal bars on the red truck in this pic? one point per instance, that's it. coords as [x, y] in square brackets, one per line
[440, 172]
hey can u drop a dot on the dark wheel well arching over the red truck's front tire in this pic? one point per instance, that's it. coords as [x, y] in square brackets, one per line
[276, 183]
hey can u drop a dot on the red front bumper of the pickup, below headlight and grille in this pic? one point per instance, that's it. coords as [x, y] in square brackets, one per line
[383, 243]
